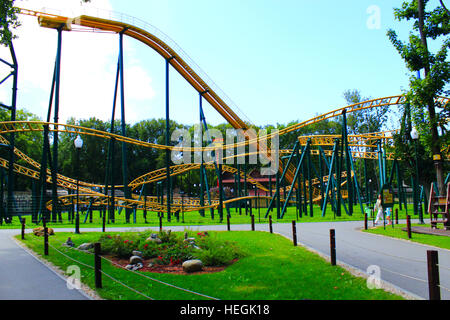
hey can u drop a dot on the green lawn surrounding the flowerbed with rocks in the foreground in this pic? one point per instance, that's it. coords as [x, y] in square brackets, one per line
[272, 269]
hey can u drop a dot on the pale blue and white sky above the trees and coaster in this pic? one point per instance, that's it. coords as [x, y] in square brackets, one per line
[278, 60]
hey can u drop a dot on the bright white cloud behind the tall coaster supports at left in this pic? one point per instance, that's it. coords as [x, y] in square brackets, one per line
[88, 68]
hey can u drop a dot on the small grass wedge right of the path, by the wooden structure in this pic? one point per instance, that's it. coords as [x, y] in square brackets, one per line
[396, 232]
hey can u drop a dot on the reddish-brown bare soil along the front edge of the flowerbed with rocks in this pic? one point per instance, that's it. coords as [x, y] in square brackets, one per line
[172, 269]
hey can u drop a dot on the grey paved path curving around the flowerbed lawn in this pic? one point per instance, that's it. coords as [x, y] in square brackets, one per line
[401, 263]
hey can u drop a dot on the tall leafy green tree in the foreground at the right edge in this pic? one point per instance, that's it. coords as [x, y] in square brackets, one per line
[427, 113]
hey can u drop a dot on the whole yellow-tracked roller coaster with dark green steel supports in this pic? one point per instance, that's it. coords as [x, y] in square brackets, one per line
[294, 166]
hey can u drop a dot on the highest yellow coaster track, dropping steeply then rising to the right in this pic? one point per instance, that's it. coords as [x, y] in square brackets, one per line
[174, 57]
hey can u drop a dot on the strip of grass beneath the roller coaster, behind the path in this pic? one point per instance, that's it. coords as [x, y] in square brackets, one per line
[194, 218]
